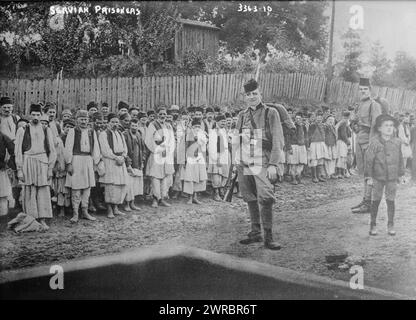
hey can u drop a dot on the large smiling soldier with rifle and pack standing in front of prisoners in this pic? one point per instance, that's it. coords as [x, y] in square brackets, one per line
[256, 183]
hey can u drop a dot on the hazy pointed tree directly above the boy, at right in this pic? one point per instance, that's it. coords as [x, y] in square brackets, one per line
[381, 65]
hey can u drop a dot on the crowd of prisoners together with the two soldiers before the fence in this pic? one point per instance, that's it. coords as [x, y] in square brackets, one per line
[95, 159]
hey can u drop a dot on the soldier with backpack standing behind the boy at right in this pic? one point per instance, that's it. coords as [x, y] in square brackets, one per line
[367, 112]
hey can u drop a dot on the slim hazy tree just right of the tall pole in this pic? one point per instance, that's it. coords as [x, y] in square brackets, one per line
[352, 63]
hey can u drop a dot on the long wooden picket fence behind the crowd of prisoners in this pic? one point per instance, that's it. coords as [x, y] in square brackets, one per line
[219, 89]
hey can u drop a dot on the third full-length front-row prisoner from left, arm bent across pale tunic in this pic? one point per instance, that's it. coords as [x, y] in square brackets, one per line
[114, 151]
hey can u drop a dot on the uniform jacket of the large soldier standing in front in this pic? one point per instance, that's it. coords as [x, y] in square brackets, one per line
[261, 141]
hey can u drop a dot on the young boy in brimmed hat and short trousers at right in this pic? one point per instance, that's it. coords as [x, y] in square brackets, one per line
[383, 166]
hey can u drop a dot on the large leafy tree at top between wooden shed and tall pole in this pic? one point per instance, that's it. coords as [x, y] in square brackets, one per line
[291, 25]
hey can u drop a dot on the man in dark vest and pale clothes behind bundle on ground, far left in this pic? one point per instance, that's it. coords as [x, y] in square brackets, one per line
[35, 158]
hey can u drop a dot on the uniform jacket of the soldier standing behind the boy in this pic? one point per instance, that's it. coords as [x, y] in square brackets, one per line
[367, 112]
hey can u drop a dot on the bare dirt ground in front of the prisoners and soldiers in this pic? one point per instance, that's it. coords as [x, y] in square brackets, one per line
[310, 221]
